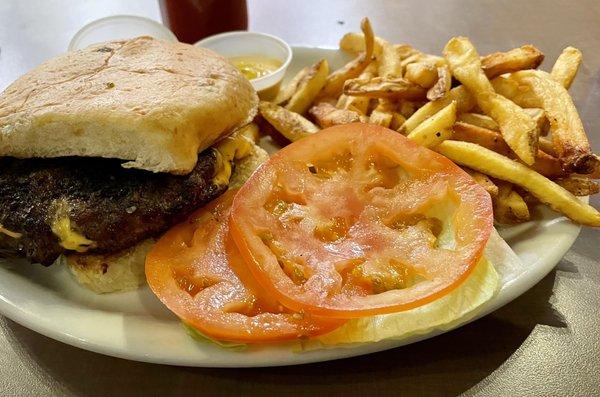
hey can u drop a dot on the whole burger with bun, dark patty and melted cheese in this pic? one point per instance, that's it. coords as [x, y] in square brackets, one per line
[104, 149]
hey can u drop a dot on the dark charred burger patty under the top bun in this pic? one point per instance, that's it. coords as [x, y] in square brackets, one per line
[114, 207]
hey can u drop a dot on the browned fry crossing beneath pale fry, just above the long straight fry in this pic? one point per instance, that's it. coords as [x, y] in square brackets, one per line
[545, 164]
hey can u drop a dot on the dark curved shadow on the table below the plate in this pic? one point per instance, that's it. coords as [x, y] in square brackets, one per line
[445, 365]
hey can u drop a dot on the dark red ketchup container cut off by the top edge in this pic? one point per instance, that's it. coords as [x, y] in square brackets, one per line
[192, 20]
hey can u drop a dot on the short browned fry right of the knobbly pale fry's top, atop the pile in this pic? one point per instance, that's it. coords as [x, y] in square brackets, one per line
[525, 57]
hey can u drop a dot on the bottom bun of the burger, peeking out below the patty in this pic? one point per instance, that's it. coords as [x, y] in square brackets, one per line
[124, 271]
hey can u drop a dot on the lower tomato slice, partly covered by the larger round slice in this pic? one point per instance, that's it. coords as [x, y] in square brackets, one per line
[196, 271]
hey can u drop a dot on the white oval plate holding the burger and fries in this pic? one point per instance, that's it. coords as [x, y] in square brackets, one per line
[135, 325]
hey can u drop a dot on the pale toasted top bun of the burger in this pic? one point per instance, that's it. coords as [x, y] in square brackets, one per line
[154, 103]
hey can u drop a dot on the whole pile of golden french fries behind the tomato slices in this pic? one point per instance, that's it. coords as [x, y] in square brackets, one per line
[512, 127]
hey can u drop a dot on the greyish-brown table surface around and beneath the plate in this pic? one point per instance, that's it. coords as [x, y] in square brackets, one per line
[544, 343]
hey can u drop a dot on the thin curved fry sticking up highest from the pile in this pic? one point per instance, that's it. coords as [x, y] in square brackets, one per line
[335, 81]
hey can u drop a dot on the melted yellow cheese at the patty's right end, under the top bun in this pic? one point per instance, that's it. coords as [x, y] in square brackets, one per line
[234, 147]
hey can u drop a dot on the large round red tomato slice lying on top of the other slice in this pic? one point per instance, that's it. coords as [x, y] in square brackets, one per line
[357, 220]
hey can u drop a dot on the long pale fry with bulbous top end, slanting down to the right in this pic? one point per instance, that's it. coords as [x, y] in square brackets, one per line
[516, 126]
